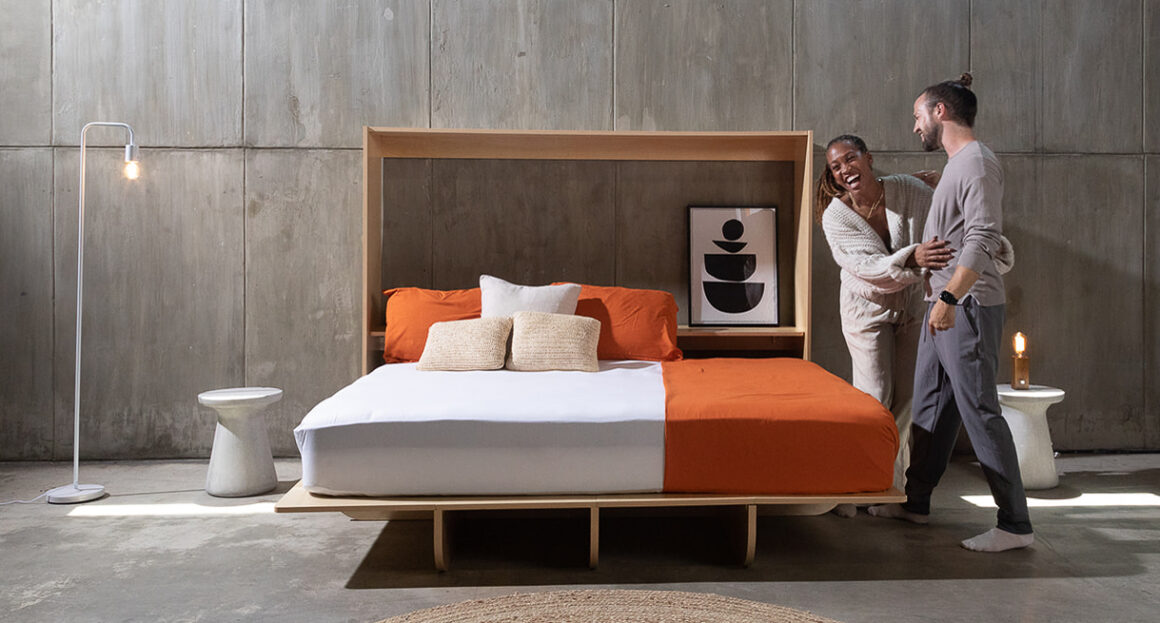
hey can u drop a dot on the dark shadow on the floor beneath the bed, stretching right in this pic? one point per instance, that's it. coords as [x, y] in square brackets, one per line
[634, 549]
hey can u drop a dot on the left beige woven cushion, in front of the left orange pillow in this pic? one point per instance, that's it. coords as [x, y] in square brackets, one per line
[480, 344]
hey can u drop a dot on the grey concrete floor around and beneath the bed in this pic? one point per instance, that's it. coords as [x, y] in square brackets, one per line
[159, 549]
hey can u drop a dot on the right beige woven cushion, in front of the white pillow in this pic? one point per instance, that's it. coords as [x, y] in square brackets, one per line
[554, 342]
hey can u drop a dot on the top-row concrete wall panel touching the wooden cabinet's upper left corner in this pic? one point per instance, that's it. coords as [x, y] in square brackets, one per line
[318, 71]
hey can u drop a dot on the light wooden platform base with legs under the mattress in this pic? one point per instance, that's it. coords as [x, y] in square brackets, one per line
[441, 510]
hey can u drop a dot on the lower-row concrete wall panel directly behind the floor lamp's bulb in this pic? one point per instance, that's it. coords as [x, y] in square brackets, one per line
[163, 300]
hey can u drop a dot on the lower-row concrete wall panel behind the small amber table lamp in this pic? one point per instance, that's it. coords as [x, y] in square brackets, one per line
[1078, 244]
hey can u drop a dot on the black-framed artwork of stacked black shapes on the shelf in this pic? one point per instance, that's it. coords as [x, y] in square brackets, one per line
[734, 266]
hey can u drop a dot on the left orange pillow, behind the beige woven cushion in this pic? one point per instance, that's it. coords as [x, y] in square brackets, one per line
[412, 311]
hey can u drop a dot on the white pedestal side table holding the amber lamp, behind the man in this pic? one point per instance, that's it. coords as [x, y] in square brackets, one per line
[1026, 412]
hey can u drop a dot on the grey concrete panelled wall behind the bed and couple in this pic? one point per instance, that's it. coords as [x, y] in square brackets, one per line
[235, 259]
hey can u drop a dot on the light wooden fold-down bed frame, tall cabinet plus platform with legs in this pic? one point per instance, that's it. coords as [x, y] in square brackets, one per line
[398, 204]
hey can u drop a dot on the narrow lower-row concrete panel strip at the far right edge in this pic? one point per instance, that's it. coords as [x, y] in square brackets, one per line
[1151, 336]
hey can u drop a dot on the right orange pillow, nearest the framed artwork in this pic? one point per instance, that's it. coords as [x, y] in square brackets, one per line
[635, 324]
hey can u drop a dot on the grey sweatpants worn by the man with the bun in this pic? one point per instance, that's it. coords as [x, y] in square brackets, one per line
[955, 387]
